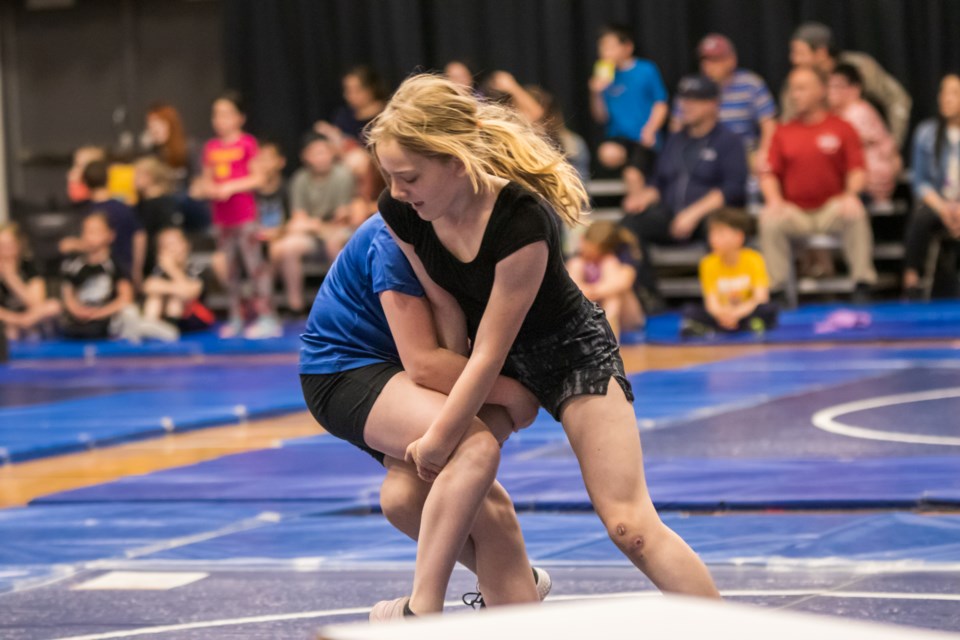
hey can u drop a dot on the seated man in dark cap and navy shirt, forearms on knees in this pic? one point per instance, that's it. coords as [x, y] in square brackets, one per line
[703, 167]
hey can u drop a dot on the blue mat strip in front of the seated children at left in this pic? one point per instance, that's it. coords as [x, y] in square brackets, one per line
[193, 344]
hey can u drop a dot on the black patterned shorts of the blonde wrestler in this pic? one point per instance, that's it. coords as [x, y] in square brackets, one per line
[579, 359]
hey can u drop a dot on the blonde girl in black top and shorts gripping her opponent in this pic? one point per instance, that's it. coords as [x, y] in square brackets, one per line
[474, 195]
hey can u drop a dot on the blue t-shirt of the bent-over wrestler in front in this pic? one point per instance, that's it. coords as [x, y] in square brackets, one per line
[347, 328]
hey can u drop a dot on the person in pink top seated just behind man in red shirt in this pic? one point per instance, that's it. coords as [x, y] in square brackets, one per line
[880, 152]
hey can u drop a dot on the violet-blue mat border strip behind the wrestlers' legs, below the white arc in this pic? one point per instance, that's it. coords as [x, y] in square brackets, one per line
[545, 479]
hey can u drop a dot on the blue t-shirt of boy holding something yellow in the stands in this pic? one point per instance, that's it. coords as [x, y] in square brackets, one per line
[630, 99]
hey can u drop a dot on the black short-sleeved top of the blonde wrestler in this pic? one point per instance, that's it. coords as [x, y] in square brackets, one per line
[519, 218]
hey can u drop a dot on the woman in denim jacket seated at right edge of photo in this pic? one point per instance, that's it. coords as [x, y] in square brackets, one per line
[936, 184]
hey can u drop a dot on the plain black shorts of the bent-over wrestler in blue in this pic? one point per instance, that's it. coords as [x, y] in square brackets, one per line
[341, 402]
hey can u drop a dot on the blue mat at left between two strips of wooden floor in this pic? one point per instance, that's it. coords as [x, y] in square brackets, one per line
[78, 408]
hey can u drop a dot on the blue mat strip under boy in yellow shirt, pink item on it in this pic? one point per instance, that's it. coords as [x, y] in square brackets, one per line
[888, 321]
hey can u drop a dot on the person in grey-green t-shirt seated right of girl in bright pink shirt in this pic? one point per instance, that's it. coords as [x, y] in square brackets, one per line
[317, 190]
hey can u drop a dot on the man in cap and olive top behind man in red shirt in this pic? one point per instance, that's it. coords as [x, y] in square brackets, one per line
[812, 45]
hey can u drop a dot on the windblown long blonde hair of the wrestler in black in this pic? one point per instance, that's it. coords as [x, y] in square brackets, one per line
[434, 117]
